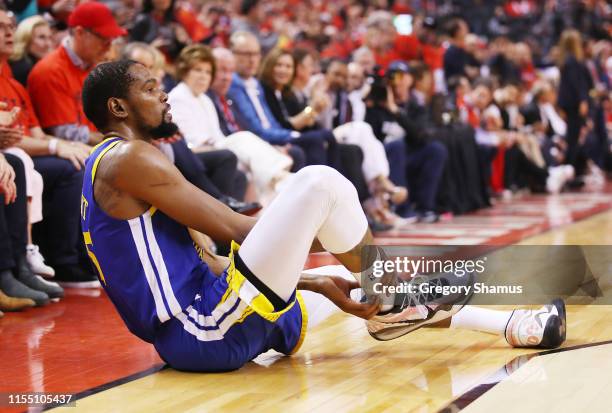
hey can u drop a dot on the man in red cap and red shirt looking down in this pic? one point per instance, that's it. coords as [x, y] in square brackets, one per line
[56, 81]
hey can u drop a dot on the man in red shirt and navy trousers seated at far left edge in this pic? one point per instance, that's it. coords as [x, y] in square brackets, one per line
[59, 162]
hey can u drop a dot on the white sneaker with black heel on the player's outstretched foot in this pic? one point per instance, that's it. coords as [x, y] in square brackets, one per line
[541, 328]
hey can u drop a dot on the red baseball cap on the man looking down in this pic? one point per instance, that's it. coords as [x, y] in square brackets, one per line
[96, 17]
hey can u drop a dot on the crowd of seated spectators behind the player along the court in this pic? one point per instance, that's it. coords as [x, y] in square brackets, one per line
[429, 107]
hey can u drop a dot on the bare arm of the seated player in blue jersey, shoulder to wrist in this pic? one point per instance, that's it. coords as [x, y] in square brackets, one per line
[136, 175]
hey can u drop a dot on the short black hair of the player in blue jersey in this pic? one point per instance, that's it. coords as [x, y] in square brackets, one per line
[105, 81]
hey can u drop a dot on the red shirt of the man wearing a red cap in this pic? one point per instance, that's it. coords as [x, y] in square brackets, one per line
[55, 85]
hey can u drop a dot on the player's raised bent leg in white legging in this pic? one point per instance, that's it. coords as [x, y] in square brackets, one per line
[319, 203]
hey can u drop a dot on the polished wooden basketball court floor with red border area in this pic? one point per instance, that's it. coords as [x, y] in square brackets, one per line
[83, 348]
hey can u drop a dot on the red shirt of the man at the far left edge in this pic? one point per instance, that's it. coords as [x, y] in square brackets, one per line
[14, 95]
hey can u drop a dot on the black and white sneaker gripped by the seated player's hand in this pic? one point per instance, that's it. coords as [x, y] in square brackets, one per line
[415, 309]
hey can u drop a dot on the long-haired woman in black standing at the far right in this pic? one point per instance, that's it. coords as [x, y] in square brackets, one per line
[573, 99]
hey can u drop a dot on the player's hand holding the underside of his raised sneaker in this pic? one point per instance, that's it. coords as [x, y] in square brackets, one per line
[338, 291]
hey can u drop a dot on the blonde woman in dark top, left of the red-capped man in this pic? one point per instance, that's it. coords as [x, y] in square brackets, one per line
[33, 41]
